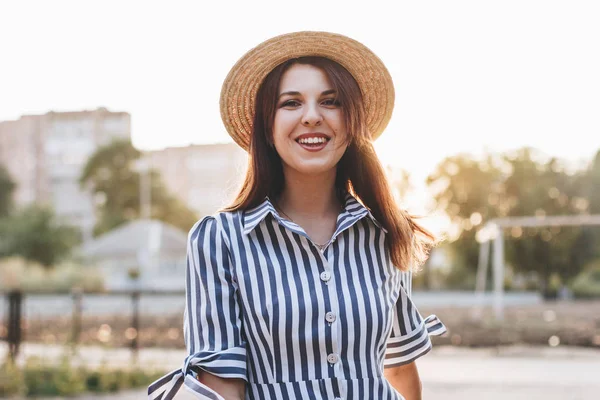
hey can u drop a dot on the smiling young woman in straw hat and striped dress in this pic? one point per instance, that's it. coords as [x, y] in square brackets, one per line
[301, 288]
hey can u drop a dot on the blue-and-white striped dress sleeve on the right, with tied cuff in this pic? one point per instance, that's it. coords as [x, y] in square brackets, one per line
[409, 338]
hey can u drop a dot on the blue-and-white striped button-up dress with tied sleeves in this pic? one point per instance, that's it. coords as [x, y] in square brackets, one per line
[264, 304]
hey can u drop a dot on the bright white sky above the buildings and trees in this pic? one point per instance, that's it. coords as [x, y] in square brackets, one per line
[469, 75]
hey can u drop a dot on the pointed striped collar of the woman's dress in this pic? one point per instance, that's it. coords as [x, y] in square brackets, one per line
[353, 211]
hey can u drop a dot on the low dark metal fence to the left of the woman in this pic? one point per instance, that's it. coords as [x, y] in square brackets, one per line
[113, 317]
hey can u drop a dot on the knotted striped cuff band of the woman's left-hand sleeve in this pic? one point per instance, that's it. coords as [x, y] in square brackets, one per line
[230, 363]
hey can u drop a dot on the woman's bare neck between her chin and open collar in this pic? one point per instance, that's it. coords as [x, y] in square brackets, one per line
[311, 196]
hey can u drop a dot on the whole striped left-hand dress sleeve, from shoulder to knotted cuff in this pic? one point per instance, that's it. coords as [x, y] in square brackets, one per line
[212, 324]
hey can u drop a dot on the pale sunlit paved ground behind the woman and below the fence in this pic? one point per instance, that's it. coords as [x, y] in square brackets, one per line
[448, 373]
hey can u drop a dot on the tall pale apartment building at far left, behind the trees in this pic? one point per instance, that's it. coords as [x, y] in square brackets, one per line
[45, 155]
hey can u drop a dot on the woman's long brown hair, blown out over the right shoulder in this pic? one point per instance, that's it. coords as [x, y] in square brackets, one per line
[359, 171]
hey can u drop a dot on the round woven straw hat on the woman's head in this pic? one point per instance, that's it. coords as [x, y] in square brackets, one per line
[238, 93]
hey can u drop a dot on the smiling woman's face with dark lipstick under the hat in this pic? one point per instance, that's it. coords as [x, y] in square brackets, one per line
[309, 131]
